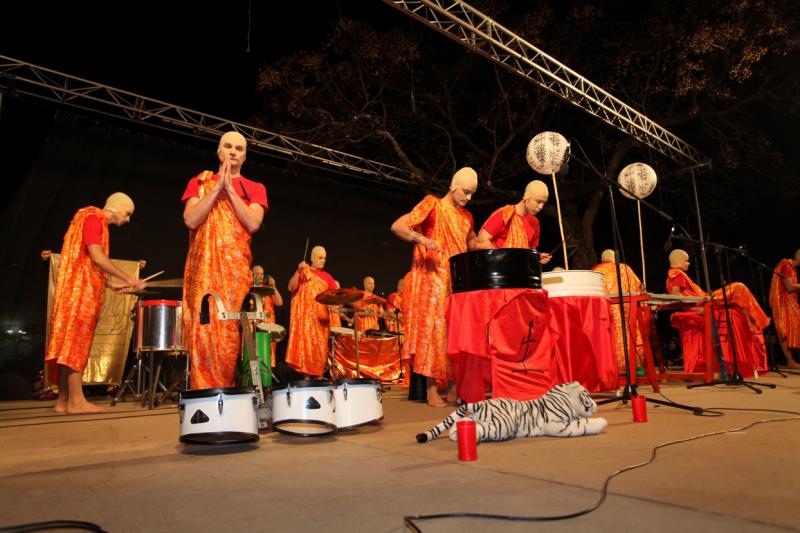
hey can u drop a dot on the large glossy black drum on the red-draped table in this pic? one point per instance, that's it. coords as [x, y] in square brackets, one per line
[501, 268]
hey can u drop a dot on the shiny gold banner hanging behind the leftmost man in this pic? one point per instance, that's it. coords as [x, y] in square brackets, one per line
[112, 336]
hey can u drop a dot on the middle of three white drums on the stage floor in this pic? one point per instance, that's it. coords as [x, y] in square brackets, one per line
[304, 408]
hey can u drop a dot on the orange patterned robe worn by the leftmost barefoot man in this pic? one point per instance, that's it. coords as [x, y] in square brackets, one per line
[80, 285]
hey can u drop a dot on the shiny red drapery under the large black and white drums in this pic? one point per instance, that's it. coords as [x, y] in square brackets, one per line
[519, 343]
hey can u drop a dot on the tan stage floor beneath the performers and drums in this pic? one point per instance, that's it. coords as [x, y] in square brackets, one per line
[127, 472]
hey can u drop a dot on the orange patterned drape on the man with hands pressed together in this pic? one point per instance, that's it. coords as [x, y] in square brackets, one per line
[218, 262]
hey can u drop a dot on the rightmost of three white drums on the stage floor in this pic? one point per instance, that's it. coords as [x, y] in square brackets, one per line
[358, 402]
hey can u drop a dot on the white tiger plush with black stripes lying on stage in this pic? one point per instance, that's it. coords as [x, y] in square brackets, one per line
[564, 411]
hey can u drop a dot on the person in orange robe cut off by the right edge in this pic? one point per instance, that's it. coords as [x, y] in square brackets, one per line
[785, 309]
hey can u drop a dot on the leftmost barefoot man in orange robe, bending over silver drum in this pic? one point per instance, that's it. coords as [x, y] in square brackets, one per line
[80, 286]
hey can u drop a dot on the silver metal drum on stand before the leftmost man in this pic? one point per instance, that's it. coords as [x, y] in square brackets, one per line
[159, 326]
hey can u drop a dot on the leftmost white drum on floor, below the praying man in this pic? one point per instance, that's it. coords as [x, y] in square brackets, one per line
[218, 416]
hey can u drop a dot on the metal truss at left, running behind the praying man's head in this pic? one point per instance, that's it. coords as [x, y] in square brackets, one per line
[18, 78]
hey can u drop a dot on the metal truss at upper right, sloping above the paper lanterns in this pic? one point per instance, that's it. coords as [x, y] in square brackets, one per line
[475, 30]
